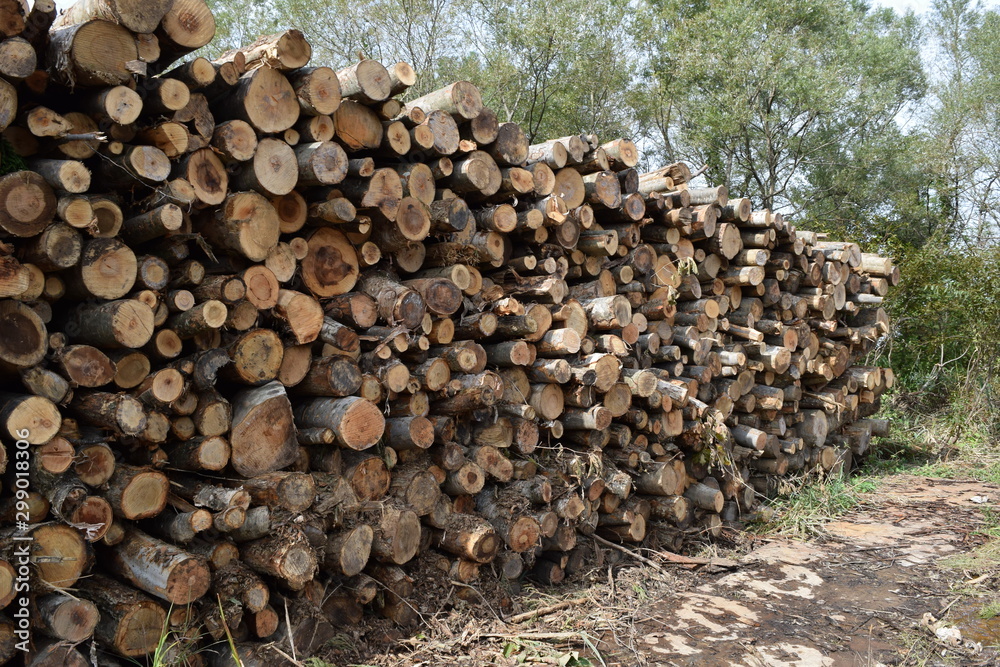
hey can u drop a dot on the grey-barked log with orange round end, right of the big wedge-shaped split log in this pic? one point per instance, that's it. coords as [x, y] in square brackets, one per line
[357, 423]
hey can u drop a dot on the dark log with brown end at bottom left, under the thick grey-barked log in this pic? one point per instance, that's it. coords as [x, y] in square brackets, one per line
[131, 624]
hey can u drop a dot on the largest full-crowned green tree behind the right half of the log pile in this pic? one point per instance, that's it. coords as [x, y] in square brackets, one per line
[792, 103]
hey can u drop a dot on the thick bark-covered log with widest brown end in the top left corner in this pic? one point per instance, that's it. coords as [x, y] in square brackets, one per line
[93, 53]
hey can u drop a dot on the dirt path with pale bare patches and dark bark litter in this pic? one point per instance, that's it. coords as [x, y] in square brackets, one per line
[858, 597]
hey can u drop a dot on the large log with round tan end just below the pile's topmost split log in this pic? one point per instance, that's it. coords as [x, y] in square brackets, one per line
[264, 98]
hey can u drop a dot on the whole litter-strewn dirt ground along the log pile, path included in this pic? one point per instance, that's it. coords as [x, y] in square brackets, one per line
[900, 580]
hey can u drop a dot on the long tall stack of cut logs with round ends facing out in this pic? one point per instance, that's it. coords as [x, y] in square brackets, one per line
[273, 338]
